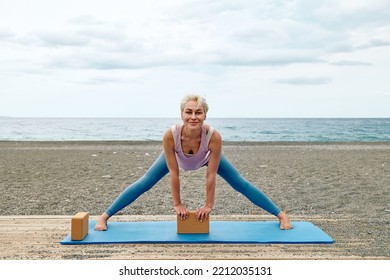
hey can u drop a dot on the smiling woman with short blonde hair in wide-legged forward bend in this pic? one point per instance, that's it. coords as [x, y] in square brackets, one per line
[190, 146]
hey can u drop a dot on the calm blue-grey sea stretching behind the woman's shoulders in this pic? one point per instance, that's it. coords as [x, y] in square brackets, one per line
[231, 129]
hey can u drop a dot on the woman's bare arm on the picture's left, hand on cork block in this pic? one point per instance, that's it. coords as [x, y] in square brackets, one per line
[173, 167]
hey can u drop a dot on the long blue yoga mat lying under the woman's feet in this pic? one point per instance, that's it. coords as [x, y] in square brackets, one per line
[266, 232]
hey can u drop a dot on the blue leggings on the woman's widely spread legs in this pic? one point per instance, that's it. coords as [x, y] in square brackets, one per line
[159, 169]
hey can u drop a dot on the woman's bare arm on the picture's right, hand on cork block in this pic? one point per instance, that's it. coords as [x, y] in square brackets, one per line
[215, 147]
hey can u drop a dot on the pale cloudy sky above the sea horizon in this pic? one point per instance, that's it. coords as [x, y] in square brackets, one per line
[249, 58]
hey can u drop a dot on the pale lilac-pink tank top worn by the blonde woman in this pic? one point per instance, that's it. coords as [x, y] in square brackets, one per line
[198, 160]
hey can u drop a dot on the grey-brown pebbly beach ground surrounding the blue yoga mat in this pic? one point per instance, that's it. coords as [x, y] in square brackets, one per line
[344, 188]
